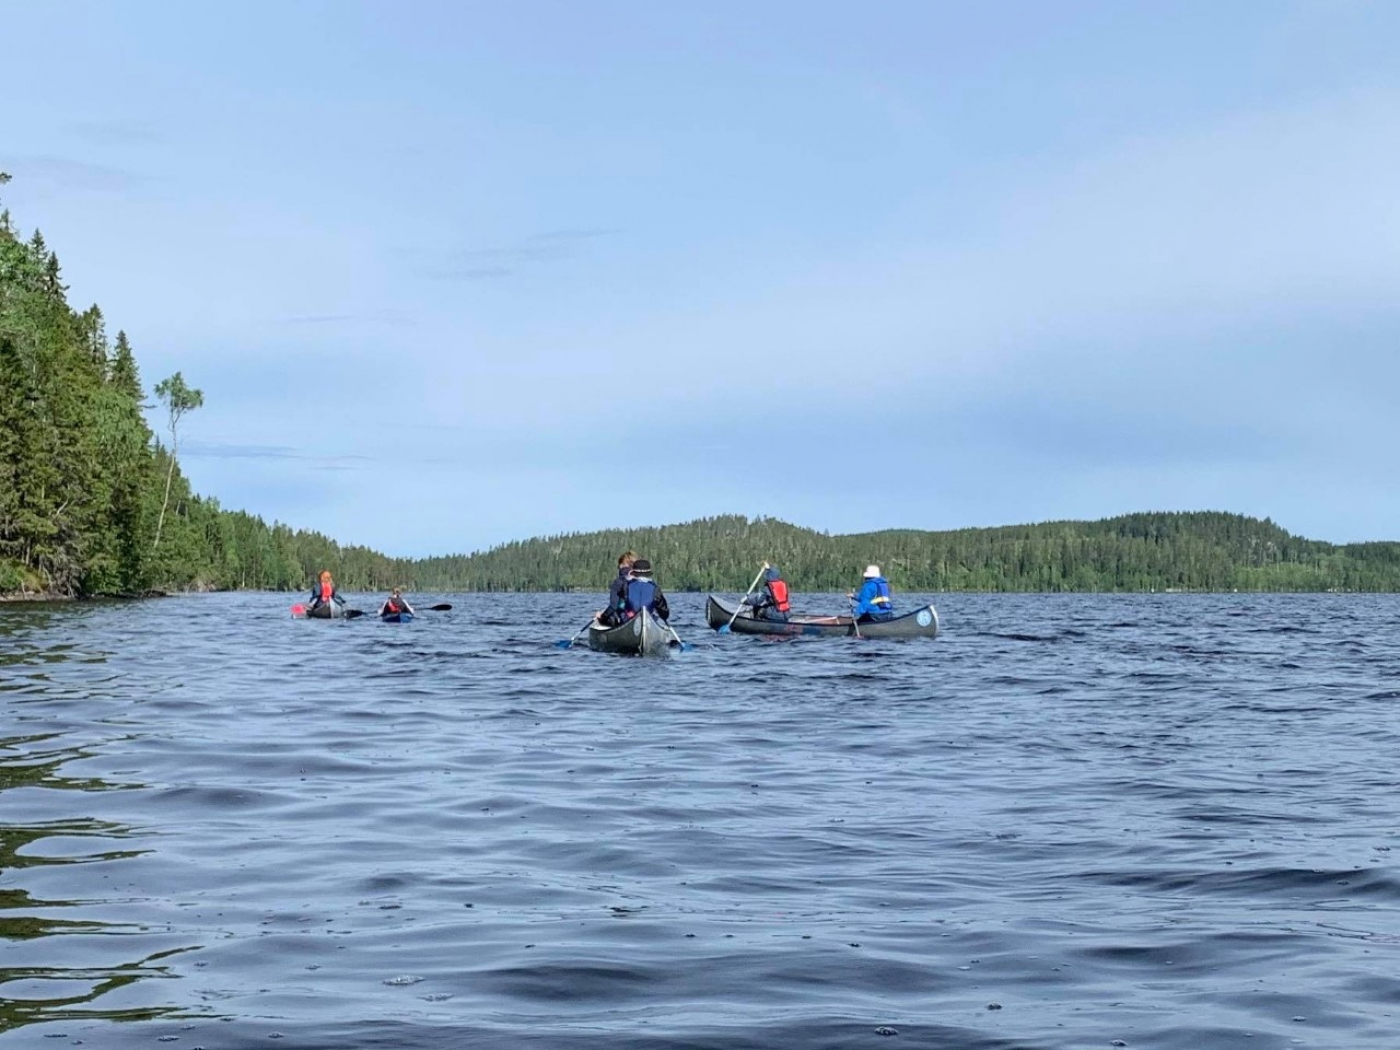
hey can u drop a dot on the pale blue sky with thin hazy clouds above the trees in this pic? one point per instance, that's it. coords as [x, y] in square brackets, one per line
[456, 274]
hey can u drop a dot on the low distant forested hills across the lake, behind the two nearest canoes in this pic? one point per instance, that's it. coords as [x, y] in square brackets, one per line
[1137, 552]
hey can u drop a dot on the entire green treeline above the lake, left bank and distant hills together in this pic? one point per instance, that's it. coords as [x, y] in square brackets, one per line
[93, 502]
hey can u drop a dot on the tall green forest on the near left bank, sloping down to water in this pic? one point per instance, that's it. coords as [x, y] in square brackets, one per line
[92, 500]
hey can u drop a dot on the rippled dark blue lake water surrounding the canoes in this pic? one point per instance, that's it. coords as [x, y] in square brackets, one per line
[1158, 821]
